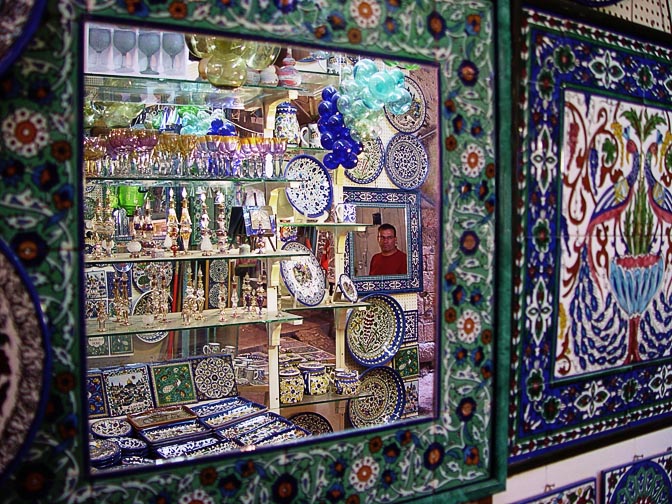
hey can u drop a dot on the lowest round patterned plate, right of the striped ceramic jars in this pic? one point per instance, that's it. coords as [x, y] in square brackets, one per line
[383, 398]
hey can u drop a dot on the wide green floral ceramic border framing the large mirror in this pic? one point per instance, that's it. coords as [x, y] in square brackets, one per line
[461, 453]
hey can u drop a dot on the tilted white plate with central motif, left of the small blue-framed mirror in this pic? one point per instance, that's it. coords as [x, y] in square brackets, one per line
[303, 275]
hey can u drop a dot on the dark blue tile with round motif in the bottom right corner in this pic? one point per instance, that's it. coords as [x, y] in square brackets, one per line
[647, 480]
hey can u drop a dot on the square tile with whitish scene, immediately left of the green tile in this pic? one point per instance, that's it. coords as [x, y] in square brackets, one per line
[127, 389]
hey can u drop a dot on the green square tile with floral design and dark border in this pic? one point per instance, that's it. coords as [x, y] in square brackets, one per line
[173, 383]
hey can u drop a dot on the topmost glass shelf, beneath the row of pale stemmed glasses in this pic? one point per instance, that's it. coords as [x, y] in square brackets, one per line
[152, 91]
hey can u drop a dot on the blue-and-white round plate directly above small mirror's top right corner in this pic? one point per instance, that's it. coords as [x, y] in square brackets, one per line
[406, 161]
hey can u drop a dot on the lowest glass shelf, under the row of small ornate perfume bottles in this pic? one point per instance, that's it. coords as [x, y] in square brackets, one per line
[174, 322]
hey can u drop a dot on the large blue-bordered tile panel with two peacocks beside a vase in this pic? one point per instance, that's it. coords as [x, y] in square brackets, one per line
[594, 204]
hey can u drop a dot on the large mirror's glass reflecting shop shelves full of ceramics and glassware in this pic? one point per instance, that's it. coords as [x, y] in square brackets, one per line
[207, 337]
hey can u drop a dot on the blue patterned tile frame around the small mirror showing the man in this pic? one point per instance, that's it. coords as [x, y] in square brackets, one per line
[388, 198]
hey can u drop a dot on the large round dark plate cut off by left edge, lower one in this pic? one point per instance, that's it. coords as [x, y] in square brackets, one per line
[25, 360]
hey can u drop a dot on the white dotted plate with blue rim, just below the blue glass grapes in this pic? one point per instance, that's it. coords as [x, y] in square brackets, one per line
[314, 193]
